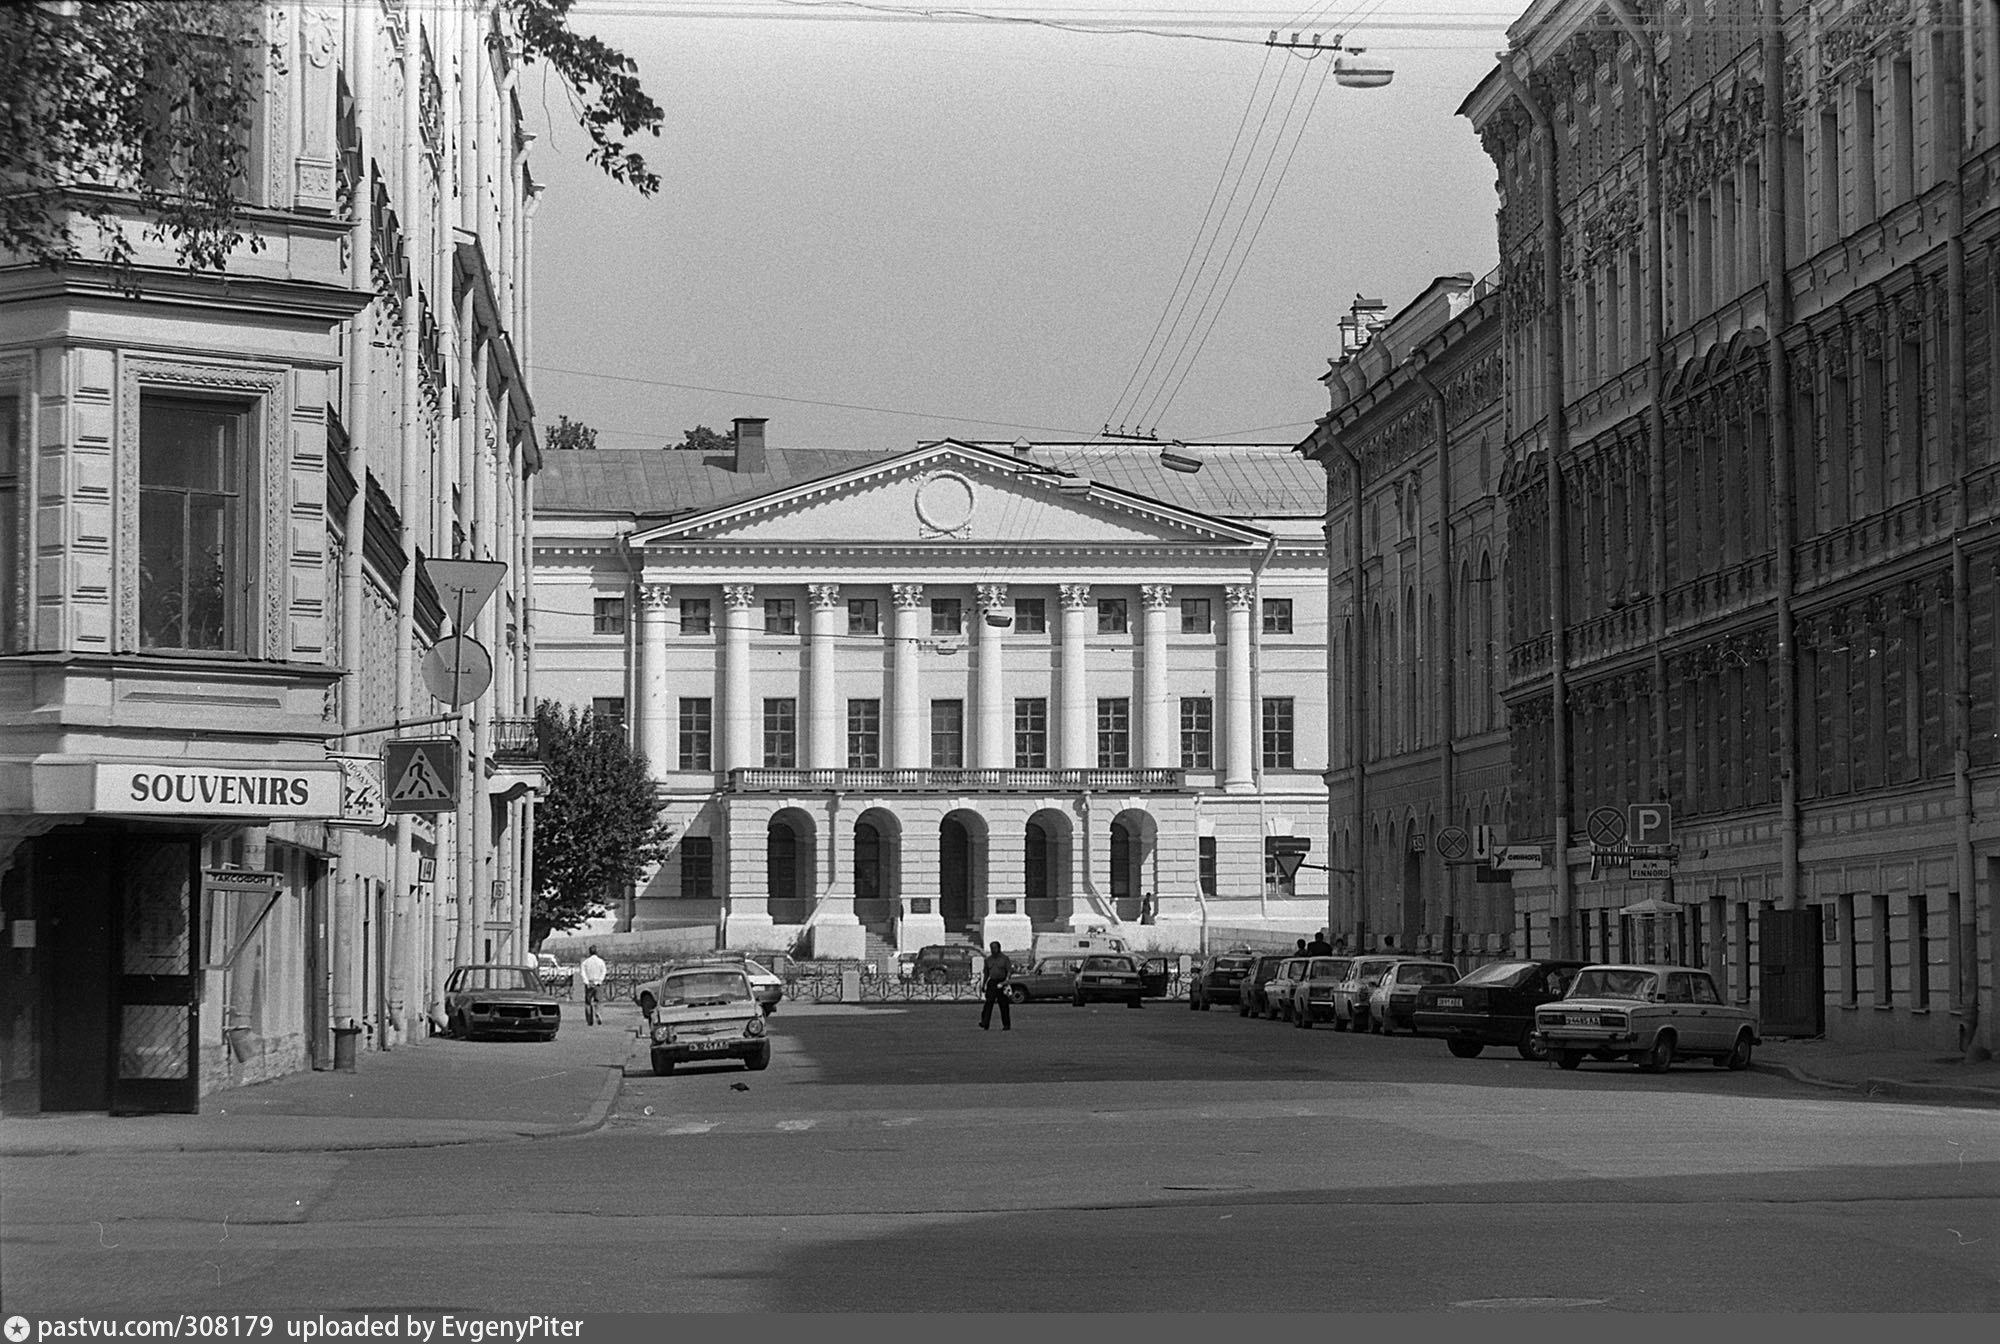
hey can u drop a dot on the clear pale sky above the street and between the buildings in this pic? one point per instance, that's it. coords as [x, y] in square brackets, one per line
[881, 227]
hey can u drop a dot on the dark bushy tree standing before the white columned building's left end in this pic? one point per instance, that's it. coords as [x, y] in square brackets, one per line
[597, 827]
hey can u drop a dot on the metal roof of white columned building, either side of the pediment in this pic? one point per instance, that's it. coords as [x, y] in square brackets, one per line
[1237, 481]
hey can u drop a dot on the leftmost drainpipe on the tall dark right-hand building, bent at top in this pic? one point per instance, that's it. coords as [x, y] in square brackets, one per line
[1557, 449]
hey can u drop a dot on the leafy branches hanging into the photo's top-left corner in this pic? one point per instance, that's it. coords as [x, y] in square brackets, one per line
[113, 109]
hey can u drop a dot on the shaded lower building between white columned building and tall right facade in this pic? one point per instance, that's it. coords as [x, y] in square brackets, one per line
[1417, 545]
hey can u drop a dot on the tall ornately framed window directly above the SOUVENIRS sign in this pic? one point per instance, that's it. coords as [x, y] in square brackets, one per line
[193, 525]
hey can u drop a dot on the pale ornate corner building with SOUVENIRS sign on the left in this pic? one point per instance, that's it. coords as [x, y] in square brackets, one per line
[219, 497]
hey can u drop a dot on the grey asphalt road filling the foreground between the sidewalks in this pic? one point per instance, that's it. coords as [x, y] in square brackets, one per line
[1091, 1159]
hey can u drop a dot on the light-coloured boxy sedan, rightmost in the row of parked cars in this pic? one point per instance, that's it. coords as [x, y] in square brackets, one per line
[1649, 1015]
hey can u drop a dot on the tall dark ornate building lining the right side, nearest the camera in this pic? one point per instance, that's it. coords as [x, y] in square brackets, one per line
[1749, 277]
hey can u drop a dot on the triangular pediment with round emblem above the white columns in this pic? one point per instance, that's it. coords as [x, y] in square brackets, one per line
[953, 493]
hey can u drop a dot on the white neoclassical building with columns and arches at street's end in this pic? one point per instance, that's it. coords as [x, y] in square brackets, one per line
[955, 691]
